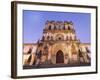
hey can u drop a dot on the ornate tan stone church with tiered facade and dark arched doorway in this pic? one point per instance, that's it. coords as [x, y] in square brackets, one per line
[59, 45]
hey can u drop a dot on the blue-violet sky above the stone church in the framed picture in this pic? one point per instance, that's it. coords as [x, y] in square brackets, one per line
[34, 22]
